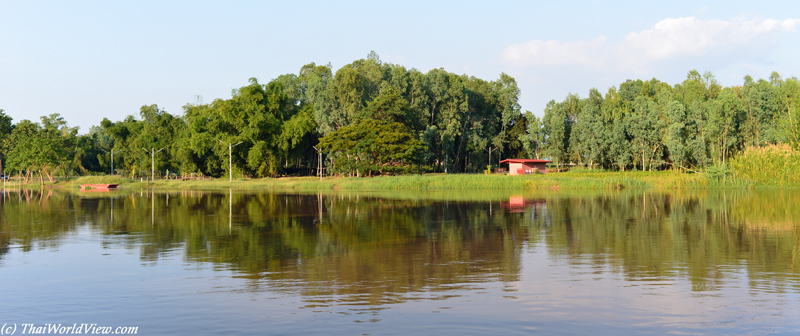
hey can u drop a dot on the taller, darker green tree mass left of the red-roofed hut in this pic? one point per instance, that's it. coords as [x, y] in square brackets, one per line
[369, 117]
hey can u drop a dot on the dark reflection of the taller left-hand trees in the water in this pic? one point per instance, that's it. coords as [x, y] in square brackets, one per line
[370, 250]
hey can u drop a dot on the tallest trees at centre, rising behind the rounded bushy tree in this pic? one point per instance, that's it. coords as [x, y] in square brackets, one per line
[457, 117]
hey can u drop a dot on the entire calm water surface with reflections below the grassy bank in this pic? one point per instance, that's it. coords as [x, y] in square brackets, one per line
[231, 262]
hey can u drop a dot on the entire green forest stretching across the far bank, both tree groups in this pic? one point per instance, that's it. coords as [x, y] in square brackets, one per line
[371, 118]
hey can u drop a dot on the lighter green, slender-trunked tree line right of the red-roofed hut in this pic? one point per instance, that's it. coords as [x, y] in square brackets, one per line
[649, 125]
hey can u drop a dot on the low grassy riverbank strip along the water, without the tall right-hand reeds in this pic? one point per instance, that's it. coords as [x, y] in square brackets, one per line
[576, 180]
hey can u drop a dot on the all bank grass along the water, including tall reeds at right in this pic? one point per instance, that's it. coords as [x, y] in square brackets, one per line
[779, 166]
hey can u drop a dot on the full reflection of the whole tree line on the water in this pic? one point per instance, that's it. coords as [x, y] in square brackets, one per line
[360, 249]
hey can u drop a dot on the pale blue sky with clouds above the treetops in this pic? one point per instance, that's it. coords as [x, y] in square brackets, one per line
[89, 60]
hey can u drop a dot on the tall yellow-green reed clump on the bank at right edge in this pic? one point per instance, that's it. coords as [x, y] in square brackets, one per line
[774, 165]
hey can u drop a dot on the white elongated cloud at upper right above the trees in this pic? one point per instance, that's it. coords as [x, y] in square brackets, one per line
[668, 41]
